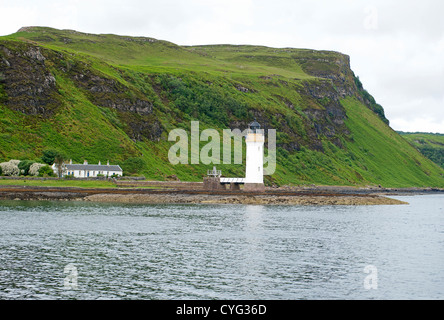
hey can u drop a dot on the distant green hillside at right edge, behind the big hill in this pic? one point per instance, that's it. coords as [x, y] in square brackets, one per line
[430, 145]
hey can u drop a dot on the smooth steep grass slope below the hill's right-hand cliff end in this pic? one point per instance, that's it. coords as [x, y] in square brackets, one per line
[375, 143]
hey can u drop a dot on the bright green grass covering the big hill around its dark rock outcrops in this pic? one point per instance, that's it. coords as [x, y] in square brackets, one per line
[375, 155]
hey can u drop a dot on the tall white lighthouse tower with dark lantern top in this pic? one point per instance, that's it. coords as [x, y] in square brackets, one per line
[254, 169]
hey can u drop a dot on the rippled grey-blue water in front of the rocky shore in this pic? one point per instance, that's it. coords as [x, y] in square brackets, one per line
[78, 250]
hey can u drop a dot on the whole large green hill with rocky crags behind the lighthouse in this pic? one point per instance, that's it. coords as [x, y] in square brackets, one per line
[100, 97]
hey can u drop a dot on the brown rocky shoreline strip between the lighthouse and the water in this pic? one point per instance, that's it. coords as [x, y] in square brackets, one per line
[300, 196]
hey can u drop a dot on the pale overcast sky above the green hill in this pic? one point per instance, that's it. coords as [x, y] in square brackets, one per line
[396, 47]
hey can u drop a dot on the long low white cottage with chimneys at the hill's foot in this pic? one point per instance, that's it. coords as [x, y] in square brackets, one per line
[86, 170]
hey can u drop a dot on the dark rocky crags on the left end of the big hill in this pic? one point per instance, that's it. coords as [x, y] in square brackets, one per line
[28, 82]
